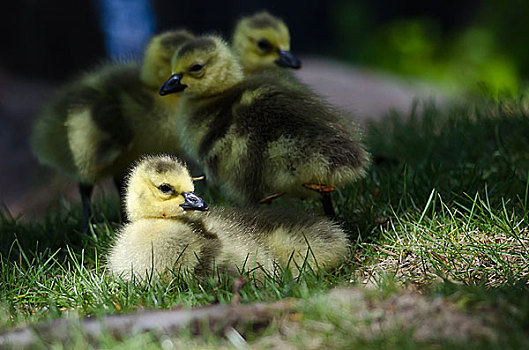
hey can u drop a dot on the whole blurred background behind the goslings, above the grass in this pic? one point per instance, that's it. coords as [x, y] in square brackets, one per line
[355, 52]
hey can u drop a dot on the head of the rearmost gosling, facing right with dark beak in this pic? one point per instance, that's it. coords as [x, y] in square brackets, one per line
[262, 41]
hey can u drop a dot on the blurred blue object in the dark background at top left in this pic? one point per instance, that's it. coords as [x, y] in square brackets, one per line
[127, 25]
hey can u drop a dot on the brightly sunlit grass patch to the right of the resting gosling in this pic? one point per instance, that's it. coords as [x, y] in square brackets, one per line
[472, 244]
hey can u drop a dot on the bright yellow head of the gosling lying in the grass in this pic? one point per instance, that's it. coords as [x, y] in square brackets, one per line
[160, 187]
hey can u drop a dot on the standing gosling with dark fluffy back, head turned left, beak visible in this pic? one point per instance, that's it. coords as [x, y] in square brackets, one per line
[261, 136]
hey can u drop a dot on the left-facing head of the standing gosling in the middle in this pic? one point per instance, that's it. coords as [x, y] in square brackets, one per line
[202, 67]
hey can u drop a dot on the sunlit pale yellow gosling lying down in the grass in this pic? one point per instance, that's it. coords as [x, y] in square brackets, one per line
[169, 231]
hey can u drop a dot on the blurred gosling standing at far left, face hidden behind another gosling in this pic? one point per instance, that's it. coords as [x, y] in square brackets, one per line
[104, 120]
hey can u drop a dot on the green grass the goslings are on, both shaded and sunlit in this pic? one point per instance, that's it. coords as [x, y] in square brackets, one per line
[441, 219]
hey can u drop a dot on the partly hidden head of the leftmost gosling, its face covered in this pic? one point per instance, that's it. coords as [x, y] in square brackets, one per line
[156, 66]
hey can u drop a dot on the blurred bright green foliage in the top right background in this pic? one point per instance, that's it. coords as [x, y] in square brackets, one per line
[489, 48]
